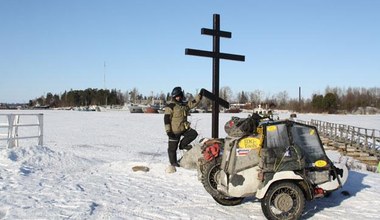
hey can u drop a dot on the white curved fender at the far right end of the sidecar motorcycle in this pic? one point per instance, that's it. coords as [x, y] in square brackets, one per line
[338, 177]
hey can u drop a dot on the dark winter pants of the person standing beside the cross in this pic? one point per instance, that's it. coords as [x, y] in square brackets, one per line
[188, 137]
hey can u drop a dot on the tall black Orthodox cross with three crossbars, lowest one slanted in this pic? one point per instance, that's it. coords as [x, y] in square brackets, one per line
[216, 55]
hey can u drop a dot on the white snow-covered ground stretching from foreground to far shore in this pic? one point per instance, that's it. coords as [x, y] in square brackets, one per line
[83, 171]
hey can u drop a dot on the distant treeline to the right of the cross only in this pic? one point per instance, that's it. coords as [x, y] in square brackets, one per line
[334, 100]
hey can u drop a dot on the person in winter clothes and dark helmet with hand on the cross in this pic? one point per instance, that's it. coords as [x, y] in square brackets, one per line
[176, 124]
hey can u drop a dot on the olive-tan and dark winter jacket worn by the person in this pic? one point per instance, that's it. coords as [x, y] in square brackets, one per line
[176, 113]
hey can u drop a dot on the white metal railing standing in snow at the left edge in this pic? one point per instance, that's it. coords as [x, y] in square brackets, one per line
[20, 126]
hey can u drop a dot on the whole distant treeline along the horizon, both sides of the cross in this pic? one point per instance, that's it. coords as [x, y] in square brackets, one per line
[334, 100]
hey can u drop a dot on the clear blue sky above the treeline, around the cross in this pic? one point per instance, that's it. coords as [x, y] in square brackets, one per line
[53, 46]
